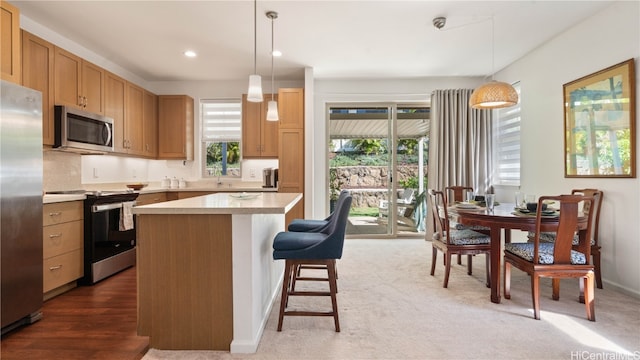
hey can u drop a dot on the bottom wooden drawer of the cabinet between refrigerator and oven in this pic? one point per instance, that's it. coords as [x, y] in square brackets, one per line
[62, 269]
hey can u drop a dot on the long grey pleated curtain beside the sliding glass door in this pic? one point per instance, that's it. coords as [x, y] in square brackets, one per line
[460, 149]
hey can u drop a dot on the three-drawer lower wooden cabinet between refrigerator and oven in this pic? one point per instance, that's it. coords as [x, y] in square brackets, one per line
[63, 244]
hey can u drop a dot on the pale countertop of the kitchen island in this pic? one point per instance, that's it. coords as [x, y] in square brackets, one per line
[225, 203]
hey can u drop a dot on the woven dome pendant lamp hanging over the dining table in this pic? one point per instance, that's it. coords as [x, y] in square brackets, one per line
[494, 94]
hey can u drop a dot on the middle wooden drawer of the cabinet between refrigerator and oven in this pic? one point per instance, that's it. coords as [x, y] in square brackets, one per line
[62, 238]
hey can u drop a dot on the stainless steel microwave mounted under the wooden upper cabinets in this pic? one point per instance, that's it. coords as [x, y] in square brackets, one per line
[77, 129]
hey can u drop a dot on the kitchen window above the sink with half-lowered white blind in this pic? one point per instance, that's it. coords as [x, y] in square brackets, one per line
[221, 136]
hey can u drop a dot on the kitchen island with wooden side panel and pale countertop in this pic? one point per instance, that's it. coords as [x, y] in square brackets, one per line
[206, 275]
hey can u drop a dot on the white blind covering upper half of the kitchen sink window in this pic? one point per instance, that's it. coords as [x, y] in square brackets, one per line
[221, 120]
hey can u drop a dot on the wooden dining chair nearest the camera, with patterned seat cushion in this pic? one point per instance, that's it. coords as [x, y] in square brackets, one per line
[557, 259]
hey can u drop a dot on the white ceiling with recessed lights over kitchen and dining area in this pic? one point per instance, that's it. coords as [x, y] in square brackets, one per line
[338, 39]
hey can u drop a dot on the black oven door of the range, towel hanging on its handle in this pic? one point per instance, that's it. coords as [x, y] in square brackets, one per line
[108, 238]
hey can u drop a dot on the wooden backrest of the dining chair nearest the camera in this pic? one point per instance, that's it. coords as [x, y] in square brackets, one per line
[566, 227]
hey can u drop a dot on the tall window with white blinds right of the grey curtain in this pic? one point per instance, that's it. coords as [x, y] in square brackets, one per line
[507, 144]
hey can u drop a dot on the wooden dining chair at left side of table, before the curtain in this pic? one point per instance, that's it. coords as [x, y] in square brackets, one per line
[452, 241]
